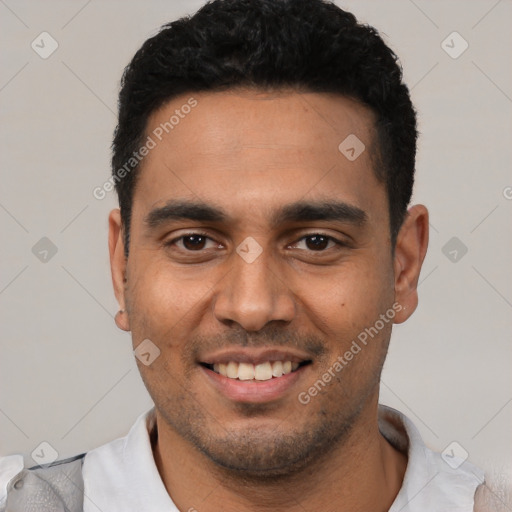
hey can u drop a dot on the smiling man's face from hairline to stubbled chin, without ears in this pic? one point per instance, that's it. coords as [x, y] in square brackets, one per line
[264, 271]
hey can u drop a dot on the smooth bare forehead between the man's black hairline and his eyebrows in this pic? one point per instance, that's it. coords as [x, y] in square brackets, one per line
[243, 147]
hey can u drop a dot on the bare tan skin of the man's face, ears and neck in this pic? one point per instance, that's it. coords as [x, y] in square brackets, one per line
[250, 153]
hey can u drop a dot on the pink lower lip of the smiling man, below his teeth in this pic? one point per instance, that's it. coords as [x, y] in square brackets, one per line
[253, 391]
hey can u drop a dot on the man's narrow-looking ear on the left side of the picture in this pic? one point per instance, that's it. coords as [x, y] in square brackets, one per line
[118, 266]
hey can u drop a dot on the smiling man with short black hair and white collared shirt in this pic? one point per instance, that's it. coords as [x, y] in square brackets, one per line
[264, 162]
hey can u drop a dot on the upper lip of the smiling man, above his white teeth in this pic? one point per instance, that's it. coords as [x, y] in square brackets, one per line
[254, 355]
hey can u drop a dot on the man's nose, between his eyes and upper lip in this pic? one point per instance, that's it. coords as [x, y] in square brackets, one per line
[253, 294]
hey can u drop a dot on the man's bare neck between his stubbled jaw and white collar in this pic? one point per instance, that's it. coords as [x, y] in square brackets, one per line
[363, 472]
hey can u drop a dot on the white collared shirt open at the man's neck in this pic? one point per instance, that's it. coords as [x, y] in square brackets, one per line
[121, 476]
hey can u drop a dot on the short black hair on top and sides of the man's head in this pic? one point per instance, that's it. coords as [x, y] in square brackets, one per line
[309, 45]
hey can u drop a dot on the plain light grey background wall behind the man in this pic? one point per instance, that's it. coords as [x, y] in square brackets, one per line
[68, 376]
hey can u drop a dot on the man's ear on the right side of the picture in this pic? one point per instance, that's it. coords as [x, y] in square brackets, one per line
[410, 250]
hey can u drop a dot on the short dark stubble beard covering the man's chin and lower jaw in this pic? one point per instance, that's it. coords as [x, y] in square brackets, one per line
[260, 454]
